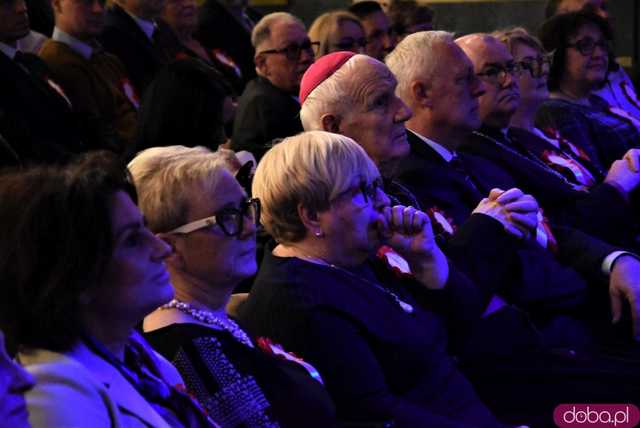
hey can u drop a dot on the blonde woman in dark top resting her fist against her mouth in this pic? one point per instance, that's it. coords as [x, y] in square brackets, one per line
[368, 323]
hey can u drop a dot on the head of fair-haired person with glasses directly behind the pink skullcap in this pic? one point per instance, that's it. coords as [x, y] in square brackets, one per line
[338, 30]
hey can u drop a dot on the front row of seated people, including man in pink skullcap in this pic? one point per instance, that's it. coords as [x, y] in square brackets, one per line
[512, 294]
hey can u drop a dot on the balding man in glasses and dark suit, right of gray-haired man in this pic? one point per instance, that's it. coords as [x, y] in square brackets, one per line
[602, 210]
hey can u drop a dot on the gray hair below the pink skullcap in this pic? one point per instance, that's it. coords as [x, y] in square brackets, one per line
[333, 96]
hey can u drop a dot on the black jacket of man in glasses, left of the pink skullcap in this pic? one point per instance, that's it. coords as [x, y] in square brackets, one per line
[264, 113]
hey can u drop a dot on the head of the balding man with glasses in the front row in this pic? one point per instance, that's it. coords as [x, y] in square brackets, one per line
[494, 64]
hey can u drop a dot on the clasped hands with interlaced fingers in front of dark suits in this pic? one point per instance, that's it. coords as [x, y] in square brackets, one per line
[517, 211]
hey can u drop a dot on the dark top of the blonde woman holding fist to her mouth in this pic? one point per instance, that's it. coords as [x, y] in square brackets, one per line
[377, 361]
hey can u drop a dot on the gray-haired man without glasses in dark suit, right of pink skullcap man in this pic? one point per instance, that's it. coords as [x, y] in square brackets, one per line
[552, 269]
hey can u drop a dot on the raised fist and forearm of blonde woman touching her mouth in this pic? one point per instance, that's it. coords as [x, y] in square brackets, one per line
[408, 231]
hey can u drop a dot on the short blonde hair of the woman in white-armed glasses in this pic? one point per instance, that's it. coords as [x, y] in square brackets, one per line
[164, 176]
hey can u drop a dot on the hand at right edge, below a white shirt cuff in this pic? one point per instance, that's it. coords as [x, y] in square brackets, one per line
[624, 284]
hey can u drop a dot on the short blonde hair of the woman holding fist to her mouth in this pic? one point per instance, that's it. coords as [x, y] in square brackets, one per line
[310, 169]
